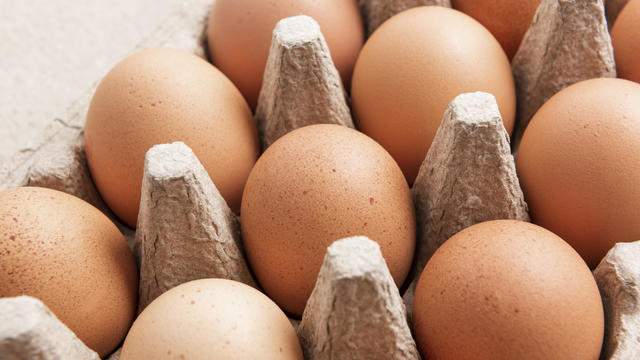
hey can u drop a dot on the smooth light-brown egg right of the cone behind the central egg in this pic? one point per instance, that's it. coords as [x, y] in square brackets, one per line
[413, 66]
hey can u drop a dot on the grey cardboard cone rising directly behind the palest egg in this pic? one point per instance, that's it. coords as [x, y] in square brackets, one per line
[185, 231]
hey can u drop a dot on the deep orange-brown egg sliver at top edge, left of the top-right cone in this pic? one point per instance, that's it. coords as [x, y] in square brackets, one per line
[507, 20]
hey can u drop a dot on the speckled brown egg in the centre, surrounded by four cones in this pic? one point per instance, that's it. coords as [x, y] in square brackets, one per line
[314, 186]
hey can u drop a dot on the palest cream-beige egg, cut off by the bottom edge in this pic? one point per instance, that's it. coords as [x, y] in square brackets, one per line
[212, 319]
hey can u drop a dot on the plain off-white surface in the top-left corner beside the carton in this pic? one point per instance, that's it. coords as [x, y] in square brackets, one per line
[51, 52]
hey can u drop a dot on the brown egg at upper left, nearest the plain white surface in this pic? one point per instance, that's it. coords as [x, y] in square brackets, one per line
[160, 96]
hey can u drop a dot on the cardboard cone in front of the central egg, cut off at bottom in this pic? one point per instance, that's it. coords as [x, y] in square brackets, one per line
[336, 325]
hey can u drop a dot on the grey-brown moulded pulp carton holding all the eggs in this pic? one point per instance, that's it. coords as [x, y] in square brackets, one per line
[468, 177]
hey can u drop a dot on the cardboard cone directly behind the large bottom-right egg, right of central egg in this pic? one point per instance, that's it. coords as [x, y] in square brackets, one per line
[468, 177]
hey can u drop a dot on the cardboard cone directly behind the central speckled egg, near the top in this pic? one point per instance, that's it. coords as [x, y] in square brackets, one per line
[299, 69]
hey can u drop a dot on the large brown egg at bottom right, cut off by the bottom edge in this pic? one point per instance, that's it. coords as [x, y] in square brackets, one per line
[507, 290]
